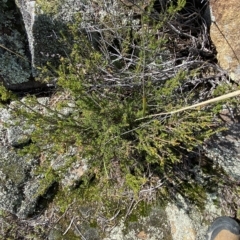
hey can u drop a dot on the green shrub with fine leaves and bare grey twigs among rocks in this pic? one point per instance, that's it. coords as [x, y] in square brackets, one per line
[103, 97]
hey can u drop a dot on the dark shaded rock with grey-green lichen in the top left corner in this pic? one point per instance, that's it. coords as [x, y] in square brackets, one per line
[15, 66]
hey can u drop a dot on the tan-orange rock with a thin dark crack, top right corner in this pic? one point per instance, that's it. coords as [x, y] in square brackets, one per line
[225, 35]
